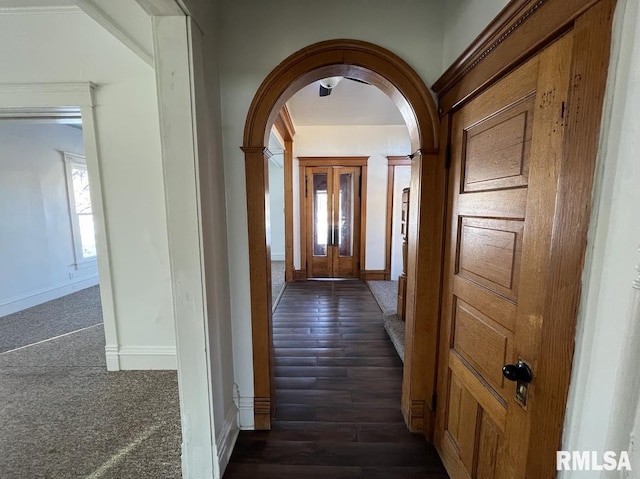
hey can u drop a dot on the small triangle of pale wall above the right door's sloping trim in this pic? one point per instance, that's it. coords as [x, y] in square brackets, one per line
[463, 22]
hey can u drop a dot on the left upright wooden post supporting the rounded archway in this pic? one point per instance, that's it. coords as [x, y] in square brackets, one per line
[257, 184]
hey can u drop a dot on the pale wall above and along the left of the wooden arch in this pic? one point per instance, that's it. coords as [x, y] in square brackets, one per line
[412, 28]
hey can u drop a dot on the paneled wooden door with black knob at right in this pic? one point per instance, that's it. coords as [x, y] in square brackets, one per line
[507, 149]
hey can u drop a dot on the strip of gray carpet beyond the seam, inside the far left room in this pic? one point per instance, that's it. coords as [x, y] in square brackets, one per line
[60, 316]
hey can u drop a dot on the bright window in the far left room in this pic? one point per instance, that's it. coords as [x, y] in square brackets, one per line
[84, 239]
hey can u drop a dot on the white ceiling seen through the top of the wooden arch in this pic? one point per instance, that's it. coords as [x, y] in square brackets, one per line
[350, 103]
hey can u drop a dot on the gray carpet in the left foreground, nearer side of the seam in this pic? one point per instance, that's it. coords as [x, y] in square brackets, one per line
[62, 415]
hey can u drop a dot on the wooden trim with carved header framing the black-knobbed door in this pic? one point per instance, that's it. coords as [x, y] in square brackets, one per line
[511, 42]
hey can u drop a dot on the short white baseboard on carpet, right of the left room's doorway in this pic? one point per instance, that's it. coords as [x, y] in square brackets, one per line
[141, 358]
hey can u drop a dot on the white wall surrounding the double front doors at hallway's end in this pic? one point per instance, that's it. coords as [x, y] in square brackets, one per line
[375, 141]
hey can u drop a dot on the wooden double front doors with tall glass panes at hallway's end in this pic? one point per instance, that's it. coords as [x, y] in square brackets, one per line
[333, 221]
